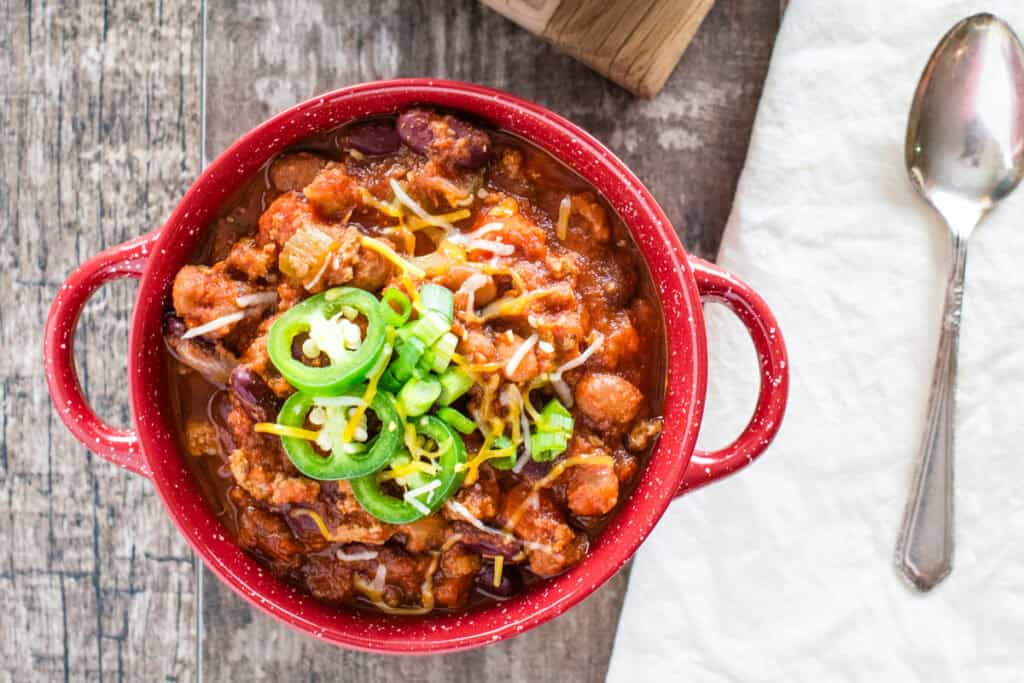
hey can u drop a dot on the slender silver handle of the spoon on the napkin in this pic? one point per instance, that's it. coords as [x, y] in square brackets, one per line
[925, 551]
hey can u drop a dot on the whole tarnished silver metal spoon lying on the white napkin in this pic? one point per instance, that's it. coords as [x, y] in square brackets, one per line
[965, 153]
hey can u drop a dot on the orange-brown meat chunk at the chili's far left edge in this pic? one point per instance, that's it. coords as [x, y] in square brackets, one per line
[202, 294]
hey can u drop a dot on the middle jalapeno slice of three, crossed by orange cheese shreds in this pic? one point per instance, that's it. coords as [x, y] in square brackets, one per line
[346, 461]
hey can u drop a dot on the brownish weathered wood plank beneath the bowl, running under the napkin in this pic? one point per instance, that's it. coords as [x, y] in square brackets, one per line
[689, 145]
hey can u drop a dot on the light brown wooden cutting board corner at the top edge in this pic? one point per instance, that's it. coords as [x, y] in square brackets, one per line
[636, 44]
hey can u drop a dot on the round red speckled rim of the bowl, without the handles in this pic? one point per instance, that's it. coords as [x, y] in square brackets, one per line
[687, 367]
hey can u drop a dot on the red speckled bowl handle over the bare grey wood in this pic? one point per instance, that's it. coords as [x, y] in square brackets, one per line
[117, 446]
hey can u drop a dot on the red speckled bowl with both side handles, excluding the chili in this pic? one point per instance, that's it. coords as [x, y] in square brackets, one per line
[151, 449]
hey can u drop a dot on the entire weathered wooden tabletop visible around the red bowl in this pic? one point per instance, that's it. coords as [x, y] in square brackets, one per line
[109, 112]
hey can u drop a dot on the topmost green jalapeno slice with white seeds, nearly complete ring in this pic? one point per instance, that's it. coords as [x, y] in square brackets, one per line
[324, 319]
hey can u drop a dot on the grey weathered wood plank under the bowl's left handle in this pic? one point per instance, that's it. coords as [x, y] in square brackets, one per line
[101, 138]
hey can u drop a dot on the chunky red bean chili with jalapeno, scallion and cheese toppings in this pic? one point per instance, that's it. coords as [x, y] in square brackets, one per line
[416, 365]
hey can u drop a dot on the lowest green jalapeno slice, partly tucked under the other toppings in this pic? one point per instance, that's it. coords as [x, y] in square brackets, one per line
[394, 510]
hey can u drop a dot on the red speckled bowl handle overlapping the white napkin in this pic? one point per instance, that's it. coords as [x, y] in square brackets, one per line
[717, 285]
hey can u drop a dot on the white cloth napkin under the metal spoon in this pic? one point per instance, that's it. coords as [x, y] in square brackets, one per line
[786, 571]
